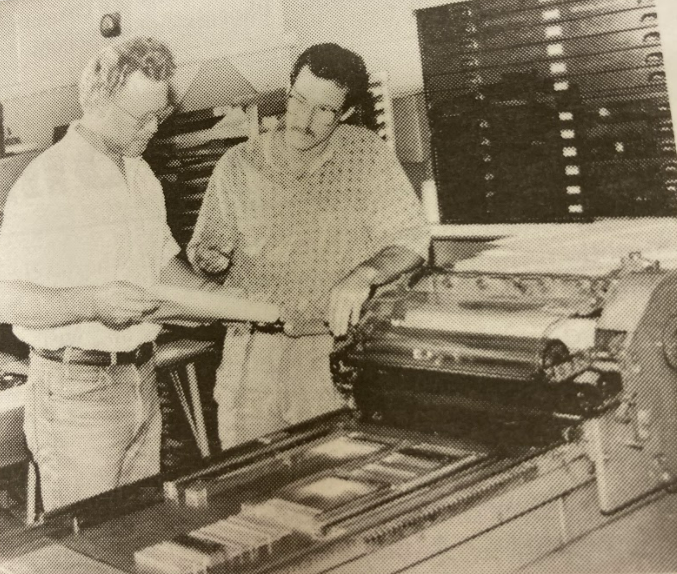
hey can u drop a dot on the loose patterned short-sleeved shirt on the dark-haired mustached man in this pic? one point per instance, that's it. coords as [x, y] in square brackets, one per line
[291, 237]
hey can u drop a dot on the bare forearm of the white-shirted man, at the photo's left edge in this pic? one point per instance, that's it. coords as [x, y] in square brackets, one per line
[34, 306]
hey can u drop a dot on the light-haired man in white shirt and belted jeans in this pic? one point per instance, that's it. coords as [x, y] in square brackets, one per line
[87, 220]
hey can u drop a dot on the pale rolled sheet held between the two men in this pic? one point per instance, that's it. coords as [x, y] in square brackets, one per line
[196, 305]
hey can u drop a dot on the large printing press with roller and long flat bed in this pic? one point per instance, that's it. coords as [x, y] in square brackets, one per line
[513, 406]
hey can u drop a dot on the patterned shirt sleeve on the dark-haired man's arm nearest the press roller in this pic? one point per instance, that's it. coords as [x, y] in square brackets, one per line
[393, 213]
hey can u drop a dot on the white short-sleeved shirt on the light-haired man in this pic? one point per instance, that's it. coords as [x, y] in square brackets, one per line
[73, 220]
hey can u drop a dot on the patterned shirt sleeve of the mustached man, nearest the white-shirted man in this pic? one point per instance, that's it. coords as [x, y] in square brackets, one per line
[216, 224]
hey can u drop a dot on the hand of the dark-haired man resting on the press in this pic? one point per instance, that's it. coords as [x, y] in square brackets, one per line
[347, 298]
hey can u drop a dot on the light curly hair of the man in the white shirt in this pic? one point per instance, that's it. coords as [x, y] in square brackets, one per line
[107, 72]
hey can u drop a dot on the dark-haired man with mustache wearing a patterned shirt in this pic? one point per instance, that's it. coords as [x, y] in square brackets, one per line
[312, 216]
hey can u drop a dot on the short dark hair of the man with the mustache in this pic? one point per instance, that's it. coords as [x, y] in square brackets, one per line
[346, 69]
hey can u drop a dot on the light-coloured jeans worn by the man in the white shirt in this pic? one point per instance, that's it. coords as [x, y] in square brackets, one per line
[91, 429]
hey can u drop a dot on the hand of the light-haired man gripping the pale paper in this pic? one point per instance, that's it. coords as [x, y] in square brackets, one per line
[120, 304]
